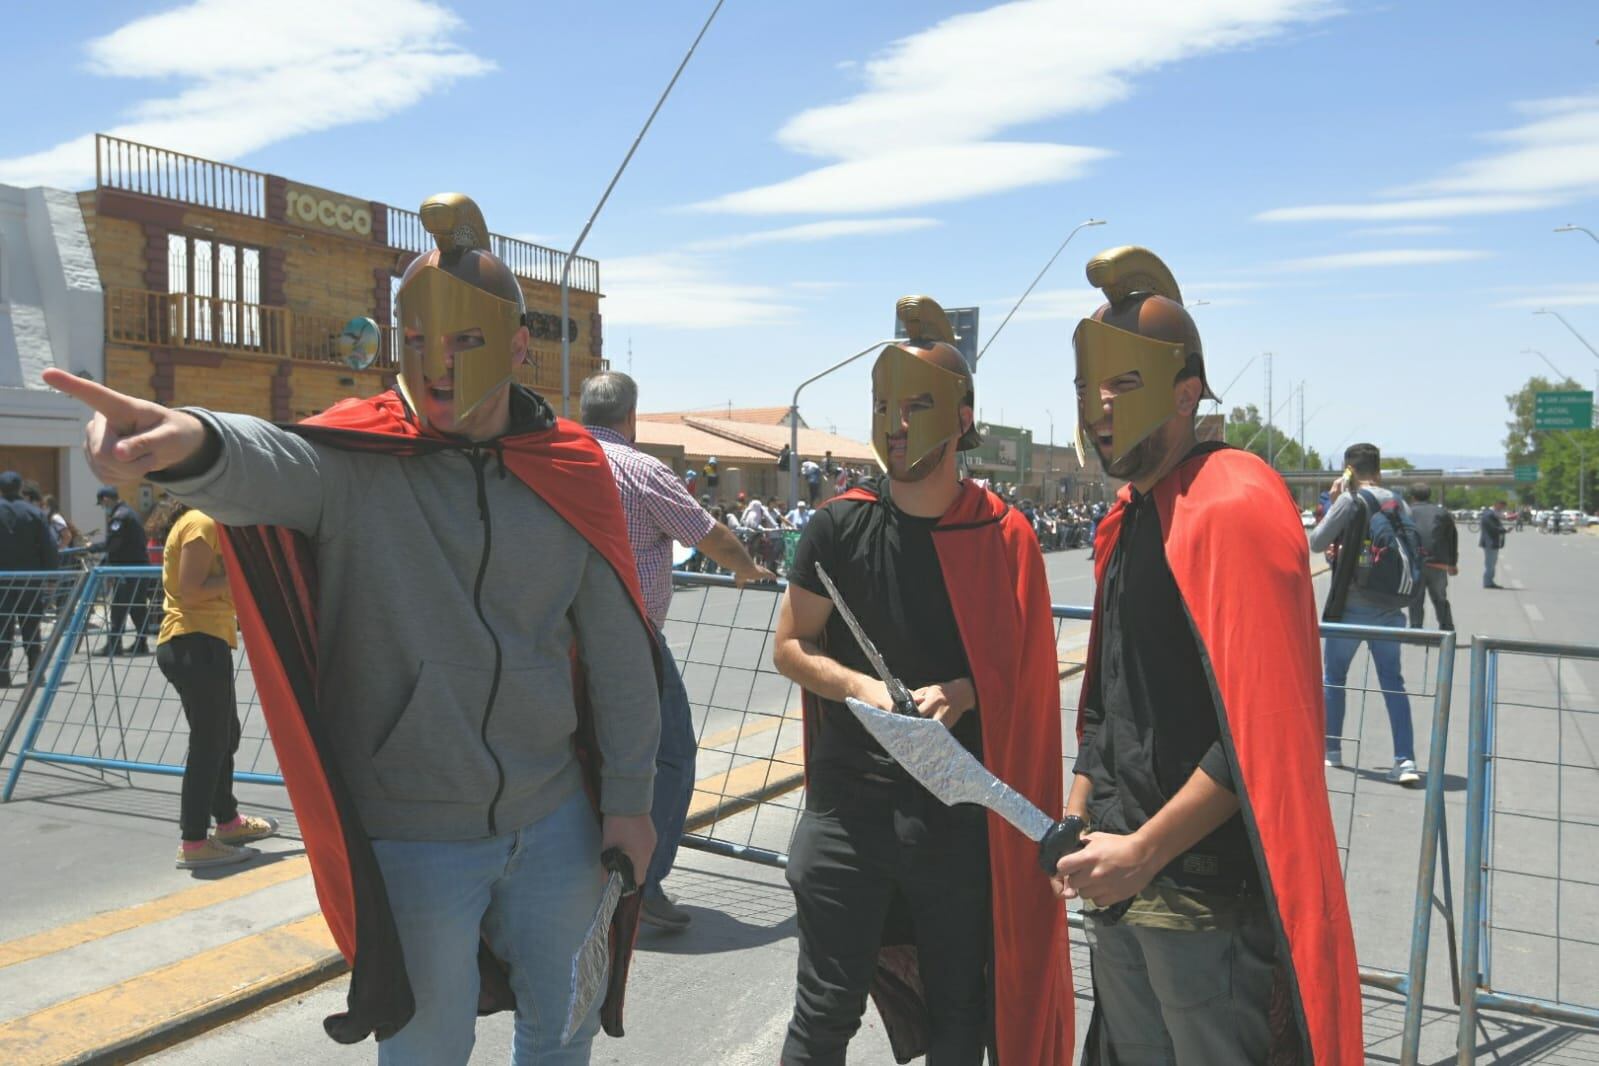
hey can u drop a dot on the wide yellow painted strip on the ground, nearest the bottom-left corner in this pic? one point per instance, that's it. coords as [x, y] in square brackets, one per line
[177, 1001]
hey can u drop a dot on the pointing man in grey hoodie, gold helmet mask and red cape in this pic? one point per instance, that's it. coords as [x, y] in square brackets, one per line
[453, 656]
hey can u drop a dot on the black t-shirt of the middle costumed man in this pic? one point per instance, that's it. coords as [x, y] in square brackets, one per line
[887, 570]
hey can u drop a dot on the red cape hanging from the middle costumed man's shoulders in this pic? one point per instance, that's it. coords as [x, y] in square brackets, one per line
[995, 575]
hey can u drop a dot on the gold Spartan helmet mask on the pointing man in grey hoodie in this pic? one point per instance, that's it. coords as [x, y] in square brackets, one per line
[455, 288]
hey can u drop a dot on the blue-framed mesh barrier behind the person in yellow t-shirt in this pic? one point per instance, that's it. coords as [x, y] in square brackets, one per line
[116, 712]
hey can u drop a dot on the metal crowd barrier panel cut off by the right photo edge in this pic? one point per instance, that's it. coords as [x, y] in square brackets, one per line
[1533, 838]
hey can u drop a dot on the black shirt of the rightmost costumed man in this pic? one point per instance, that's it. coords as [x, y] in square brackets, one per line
[1150, 717]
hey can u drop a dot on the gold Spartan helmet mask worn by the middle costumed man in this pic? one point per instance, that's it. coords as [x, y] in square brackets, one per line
[927, 381]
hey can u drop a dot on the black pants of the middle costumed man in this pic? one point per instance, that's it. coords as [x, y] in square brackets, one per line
[866, 854]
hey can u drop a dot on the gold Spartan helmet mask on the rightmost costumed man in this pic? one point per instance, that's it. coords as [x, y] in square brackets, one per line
[1144, 330]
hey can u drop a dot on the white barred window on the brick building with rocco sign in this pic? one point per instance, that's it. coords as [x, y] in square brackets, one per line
[218, 292]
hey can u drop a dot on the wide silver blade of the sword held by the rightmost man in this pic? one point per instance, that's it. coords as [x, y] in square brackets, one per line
[931, 754]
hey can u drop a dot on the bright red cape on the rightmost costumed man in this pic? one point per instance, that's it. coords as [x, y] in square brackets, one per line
[1237, 551]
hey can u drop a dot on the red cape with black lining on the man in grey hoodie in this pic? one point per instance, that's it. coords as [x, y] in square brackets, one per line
[273, 573]
